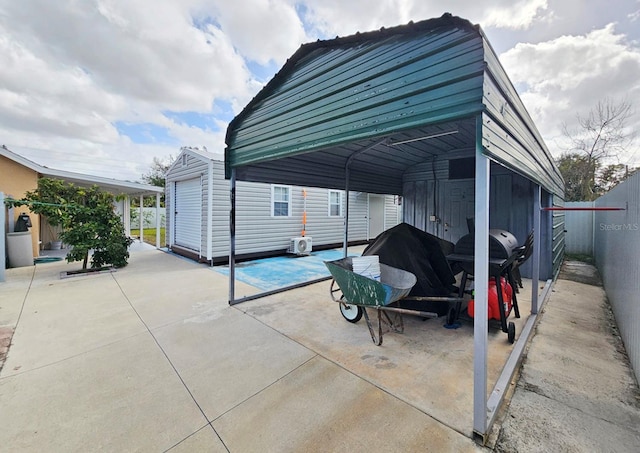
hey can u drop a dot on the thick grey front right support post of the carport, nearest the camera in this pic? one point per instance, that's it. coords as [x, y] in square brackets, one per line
[481, 287]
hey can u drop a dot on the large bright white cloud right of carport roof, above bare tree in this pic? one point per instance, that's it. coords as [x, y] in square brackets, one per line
[569, 75]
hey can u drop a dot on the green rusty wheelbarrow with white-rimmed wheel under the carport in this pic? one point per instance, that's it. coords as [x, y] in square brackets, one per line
[355, 293]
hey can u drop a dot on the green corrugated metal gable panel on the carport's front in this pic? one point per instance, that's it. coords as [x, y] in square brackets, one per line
[369, 85]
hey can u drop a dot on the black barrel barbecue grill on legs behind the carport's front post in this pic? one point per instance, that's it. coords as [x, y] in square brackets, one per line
[503, 253]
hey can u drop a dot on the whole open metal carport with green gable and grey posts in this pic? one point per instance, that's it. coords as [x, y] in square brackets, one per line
[359, 112]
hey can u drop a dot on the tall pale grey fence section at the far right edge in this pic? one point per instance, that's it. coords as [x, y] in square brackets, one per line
[617, 254]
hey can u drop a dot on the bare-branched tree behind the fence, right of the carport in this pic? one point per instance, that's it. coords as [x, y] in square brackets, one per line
[600, 136]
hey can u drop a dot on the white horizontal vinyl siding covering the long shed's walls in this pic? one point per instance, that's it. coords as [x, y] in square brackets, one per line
[257, 231]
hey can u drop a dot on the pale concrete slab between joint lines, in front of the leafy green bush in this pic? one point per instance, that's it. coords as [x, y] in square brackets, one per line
[64, 318]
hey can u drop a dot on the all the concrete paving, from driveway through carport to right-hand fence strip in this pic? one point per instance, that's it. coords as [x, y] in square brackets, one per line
[152, 358]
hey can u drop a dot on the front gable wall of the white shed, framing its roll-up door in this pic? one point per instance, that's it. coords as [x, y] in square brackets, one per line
[193, 168]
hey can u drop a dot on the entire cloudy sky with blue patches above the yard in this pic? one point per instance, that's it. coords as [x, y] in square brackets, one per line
[104, 86]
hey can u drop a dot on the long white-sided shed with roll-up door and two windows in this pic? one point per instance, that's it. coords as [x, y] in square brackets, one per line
[268, 216]
